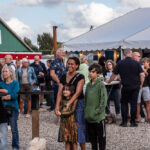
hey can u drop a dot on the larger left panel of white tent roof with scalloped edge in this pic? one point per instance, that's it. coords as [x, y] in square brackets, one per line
[111, 34]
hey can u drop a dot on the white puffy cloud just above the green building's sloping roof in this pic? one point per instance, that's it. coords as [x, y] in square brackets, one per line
[20, 28]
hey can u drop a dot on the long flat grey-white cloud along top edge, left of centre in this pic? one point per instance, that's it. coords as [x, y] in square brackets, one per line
[42, 2]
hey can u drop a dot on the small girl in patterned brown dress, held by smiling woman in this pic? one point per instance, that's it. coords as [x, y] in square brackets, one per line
[68, 124]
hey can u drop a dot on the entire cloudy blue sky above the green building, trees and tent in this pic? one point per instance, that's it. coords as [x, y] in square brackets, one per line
[73, 17]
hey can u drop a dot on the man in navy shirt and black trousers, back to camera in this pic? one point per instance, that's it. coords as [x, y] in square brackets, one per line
[132, 78]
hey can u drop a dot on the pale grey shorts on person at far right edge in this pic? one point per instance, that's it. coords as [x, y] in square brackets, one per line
[144, 94]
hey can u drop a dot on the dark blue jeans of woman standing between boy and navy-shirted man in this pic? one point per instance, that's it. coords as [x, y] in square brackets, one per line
[116, 96]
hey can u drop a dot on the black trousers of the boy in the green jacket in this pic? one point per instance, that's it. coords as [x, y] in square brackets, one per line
[97, 135]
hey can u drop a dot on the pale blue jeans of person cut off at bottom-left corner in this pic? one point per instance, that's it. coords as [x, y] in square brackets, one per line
[3, 136]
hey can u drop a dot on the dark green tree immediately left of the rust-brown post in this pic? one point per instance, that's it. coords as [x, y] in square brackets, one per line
[45, 42]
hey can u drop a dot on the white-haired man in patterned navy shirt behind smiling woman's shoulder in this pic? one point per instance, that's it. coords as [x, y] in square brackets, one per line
[57, 70]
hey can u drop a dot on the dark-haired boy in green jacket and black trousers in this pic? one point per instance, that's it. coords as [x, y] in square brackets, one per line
[94, 111]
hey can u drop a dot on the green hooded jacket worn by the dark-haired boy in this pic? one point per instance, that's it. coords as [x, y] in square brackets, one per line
[95, 101]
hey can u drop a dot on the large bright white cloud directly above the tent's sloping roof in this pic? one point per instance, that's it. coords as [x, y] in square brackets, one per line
[80, 18]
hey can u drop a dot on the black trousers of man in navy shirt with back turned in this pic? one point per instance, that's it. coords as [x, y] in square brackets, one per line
[129, 96]
